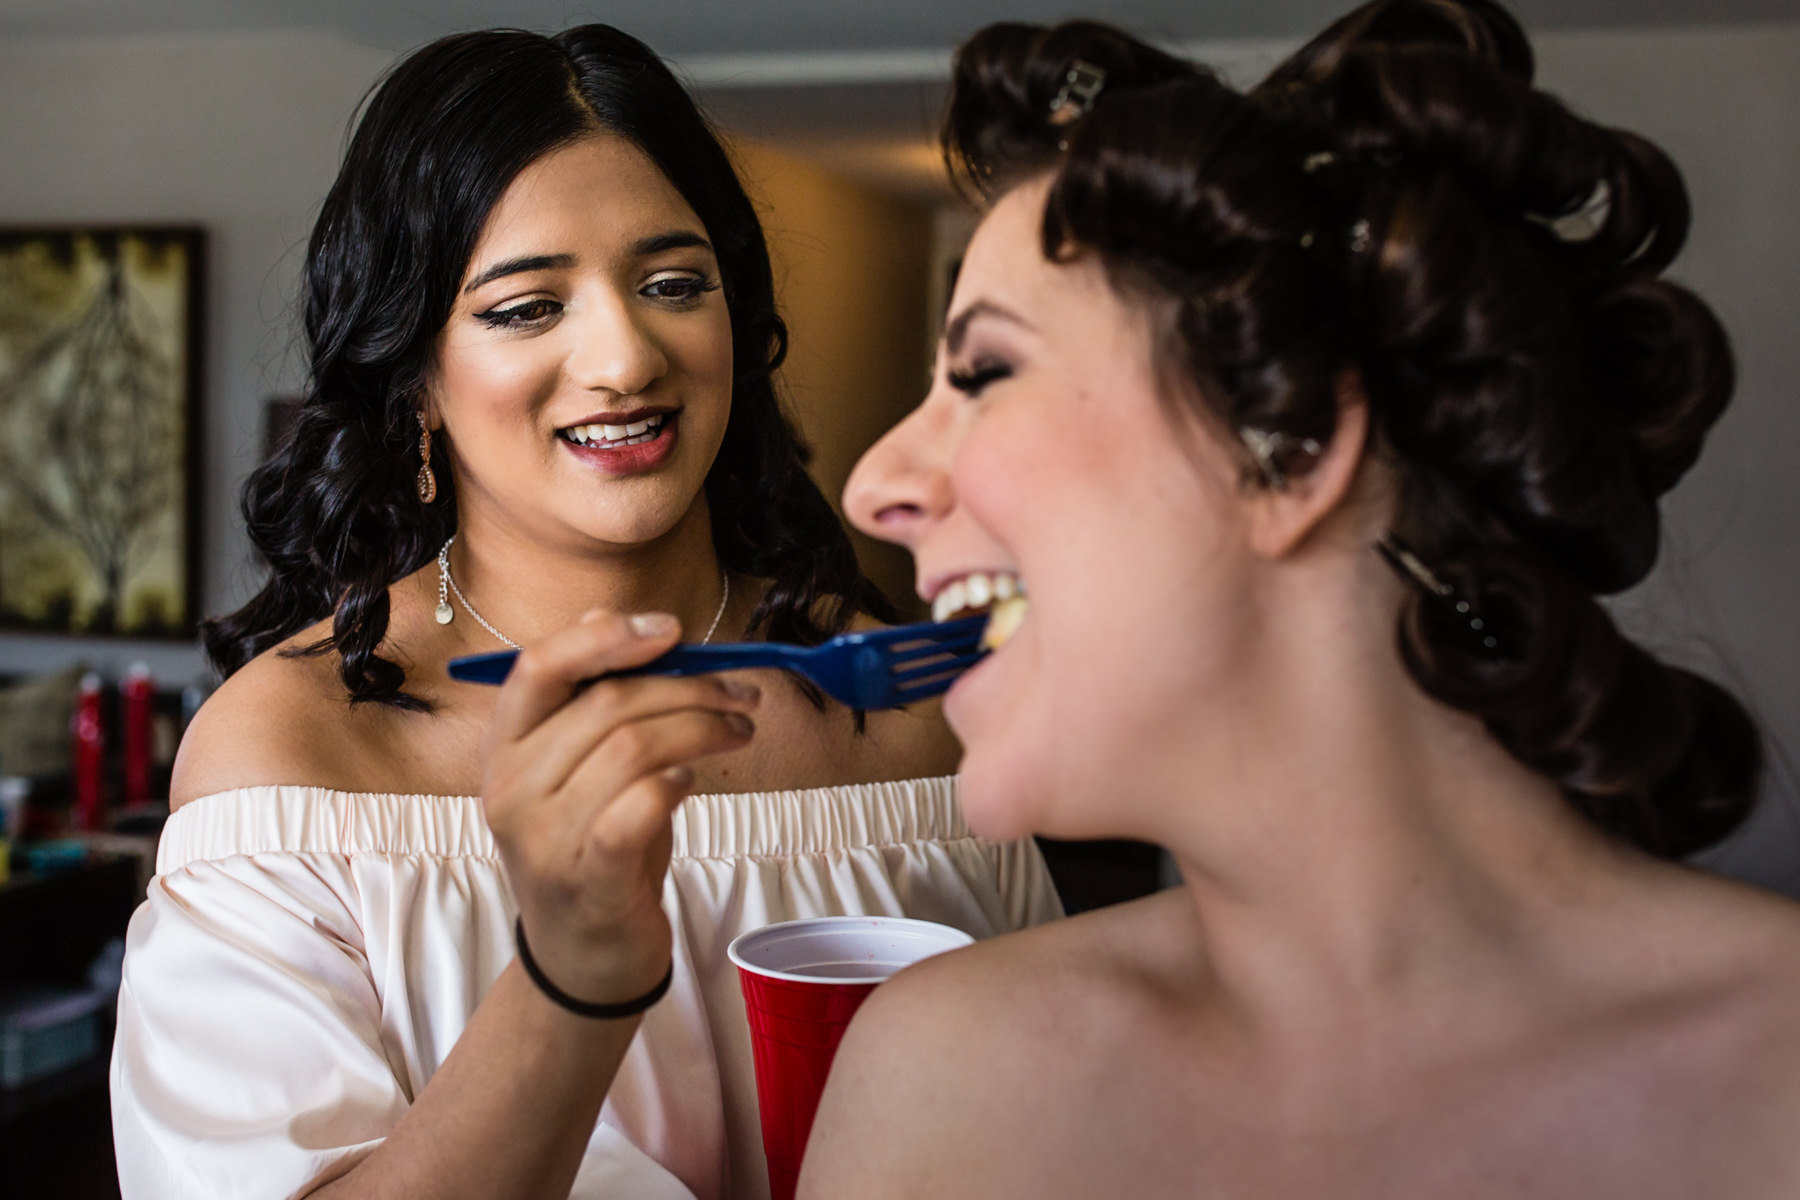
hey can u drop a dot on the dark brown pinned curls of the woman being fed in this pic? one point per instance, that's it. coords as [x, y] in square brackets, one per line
[1401, 202]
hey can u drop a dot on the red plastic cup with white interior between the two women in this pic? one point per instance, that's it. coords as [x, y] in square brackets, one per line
[802, 985]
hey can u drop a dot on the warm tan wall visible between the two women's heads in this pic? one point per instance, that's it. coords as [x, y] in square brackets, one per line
[852, 278]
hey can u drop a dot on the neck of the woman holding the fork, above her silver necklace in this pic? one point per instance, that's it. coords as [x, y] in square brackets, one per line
[526, 587]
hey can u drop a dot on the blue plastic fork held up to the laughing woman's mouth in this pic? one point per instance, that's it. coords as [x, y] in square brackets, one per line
[874, 670]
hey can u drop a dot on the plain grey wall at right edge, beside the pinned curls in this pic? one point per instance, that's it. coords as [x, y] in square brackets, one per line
[1727, 107]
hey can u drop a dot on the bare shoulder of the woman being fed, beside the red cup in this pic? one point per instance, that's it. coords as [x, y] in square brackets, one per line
[973, 1050]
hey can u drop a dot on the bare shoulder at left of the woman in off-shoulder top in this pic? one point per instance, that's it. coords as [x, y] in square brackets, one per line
[282, 719]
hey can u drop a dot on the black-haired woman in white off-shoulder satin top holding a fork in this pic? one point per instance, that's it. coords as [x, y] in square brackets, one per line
[426, 938]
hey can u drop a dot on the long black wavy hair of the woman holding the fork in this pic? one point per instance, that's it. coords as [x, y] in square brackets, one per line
[336, 514]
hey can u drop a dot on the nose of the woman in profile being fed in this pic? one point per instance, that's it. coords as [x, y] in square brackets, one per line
[903, 483]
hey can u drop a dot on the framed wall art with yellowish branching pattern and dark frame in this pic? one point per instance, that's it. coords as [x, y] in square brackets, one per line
[100, 429]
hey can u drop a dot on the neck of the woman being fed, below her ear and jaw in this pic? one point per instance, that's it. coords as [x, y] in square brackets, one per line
[1365, 850]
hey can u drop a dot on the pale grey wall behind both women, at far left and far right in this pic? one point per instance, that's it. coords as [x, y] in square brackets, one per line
[242, 136]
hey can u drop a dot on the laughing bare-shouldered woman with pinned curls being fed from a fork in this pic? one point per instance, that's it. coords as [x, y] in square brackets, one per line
[1313, 420]
